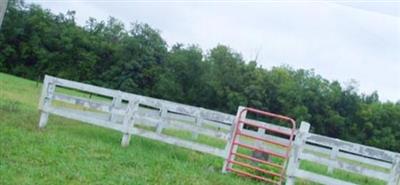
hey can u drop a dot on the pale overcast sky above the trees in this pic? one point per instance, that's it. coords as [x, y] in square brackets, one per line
[339, 40]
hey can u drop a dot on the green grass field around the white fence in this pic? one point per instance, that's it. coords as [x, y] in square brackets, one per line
[69, 152]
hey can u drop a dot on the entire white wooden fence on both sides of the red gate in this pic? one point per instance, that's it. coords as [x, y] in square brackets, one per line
[149, 117]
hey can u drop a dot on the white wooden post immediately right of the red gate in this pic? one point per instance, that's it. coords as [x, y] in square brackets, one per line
[294, 161]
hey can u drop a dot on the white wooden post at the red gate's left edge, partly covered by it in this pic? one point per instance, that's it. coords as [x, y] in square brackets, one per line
[231, 139]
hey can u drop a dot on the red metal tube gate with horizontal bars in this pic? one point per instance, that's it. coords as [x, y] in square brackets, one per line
[264, 169]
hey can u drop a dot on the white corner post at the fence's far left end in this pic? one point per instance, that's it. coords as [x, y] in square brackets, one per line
[45, 101]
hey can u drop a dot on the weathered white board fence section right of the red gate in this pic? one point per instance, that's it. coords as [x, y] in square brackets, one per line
[340, 156]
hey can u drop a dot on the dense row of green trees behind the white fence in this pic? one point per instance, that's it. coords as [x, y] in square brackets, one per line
[34, 42]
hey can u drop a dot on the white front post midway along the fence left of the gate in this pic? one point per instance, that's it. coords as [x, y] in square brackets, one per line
[128, 122]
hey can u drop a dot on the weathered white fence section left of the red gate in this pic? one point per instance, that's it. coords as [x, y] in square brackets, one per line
[133, 114]
